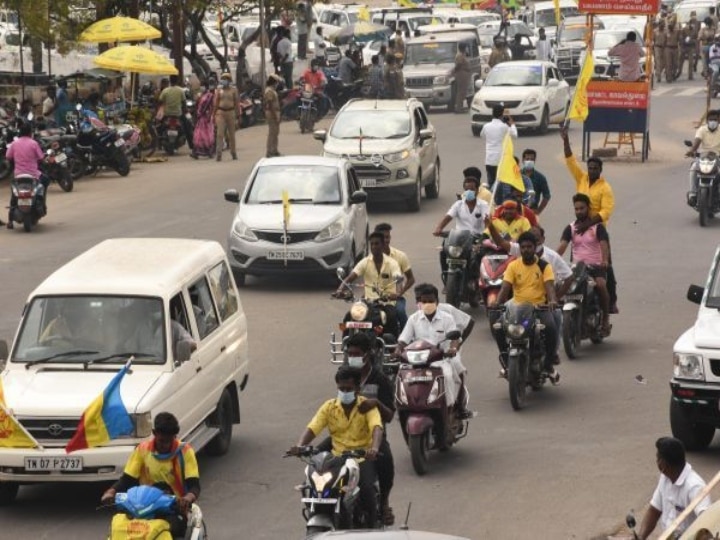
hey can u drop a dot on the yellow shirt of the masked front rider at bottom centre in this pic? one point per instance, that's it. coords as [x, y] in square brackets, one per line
[351, 432]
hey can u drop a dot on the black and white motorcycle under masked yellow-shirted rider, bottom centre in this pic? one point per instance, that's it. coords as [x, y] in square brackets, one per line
[330, 492]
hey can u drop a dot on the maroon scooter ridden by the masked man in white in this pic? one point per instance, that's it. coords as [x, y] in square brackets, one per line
[427, 420]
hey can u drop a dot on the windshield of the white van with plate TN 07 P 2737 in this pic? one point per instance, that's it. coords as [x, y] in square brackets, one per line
[85, 328]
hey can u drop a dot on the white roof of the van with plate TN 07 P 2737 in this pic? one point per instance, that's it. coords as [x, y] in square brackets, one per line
[132, 266]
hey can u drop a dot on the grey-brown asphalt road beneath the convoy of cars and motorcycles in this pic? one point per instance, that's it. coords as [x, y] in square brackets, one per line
[569, 466]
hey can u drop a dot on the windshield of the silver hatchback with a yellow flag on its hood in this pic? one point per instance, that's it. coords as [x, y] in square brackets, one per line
[304, 184]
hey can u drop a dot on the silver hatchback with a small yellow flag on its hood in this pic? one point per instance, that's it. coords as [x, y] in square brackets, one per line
[327, 226]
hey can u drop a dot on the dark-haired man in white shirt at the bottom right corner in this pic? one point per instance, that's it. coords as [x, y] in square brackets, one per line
[678, 485]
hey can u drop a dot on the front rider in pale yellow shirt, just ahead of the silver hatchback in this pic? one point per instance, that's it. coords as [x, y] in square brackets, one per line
[381, 274]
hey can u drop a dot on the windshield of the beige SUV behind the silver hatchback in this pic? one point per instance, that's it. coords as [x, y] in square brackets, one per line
[371, 124]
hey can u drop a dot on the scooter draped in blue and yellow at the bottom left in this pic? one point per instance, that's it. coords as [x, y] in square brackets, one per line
[140, 516]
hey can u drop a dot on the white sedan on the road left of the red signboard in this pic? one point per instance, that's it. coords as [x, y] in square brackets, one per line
[533, 92]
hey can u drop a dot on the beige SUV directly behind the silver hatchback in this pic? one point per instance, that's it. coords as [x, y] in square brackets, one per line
[392, 146]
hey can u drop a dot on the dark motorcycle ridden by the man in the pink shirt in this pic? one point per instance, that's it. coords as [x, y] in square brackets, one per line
[582, 316]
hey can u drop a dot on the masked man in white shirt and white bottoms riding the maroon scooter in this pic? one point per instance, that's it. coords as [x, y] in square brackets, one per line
[429, 323]
